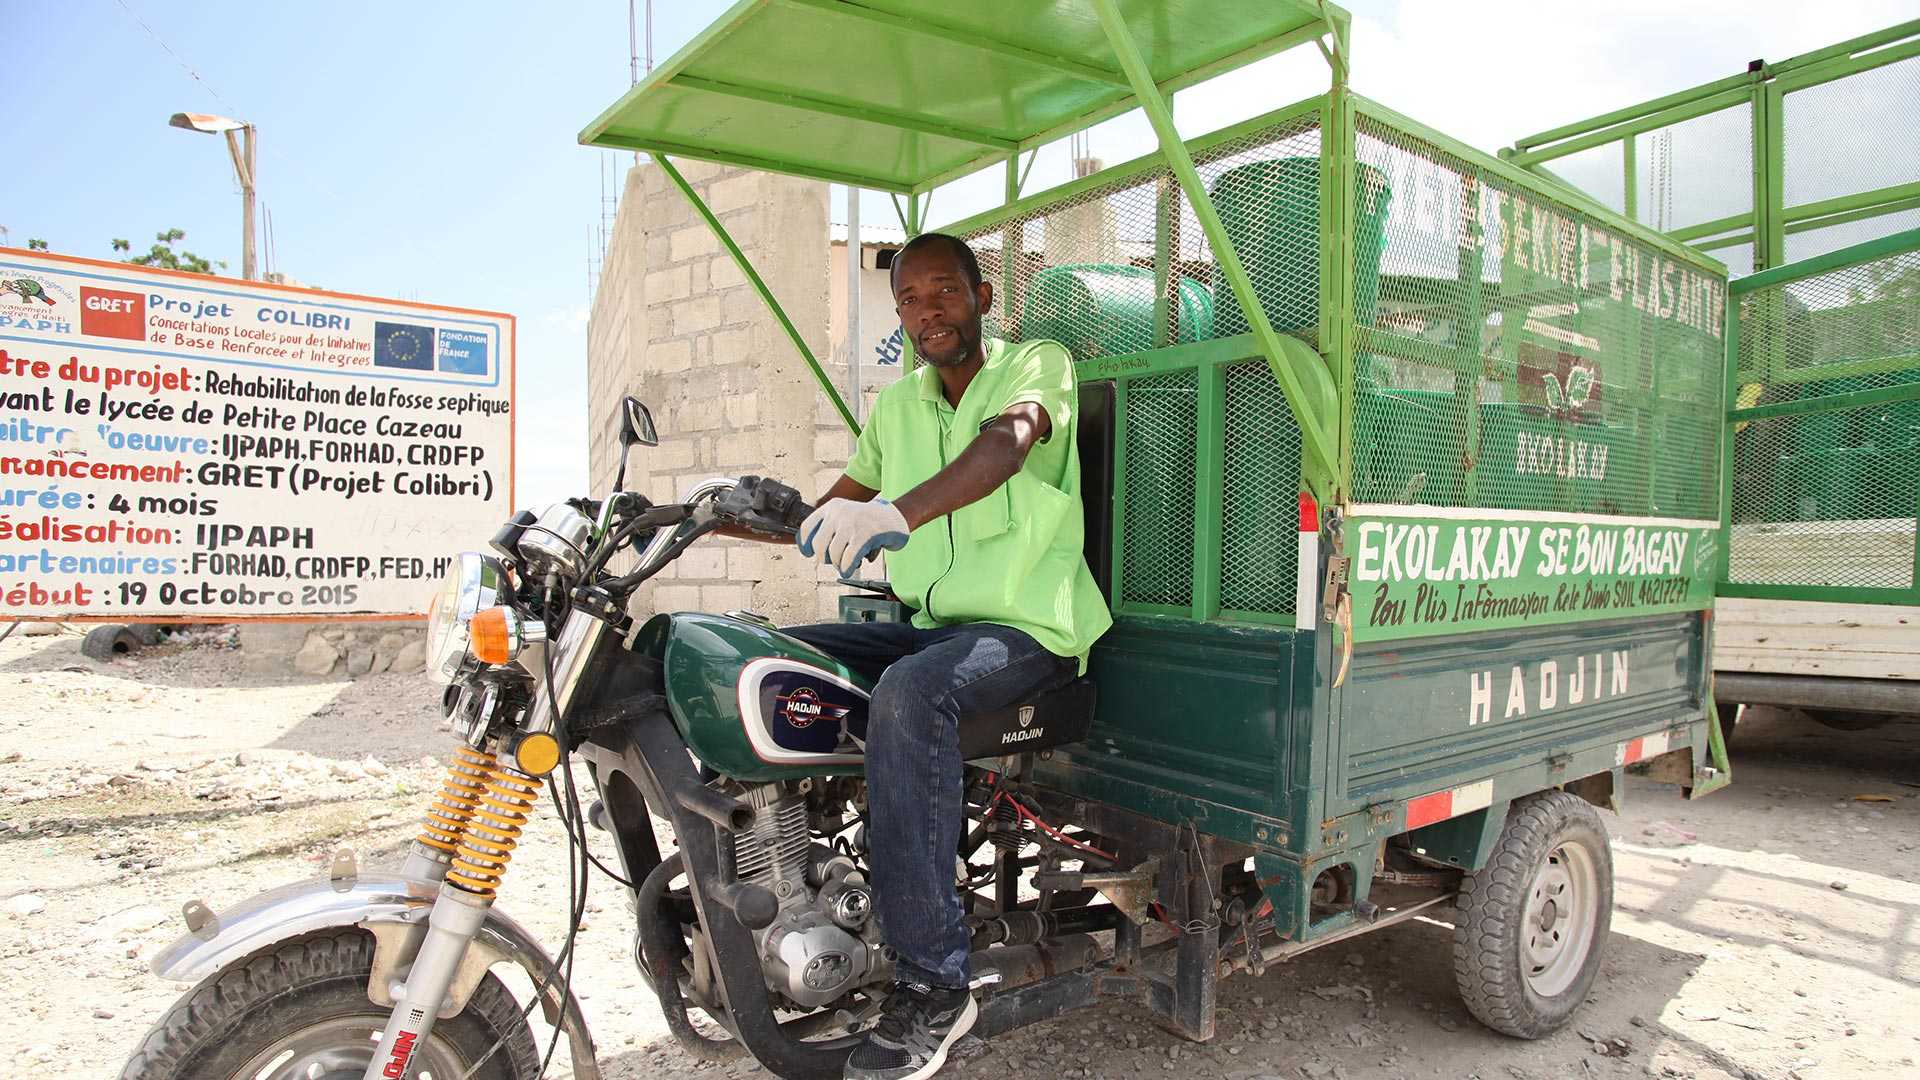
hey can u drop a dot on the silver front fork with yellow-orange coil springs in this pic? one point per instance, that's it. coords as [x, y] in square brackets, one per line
[469, 837]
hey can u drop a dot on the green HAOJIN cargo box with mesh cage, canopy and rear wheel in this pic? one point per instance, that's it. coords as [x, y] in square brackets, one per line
[1404, 481]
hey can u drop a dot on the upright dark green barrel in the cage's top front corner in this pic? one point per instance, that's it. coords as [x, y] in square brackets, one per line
[1272, 218]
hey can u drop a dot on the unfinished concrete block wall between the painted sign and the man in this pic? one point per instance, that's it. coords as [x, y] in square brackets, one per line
[677, 324]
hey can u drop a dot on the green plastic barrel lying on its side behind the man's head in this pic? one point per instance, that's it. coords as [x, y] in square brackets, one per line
[1109, 310]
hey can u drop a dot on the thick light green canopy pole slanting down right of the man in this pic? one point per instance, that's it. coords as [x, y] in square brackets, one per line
[1314, 439]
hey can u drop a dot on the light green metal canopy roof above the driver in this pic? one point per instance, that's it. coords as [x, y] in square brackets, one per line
[903, 95]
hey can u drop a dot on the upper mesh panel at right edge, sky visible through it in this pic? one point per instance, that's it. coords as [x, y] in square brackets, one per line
[1852, 135]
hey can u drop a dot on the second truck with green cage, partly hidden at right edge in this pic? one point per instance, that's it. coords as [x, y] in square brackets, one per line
[1800, 174]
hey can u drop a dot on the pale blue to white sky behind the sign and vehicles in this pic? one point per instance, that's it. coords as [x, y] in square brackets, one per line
[429, 151]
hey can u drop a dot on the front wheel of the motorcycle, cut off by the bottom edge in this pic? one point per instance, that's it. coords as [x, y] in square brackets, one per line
[302, 1014]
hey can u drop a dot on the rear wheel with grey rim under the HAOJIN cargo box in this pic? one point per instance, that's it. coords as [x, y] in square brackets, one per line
[1535, 920]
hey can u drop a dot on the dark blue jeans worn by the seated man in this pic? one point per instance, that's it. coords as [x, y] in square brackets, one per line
[926, 681]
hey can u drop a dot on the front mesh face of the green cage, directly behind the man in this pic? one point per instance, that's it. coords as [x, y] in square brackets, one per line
[1124, 268]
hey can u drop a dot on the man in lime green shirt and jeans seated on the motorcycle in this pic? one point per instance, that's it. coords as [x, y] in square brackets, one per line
[971, 476]
